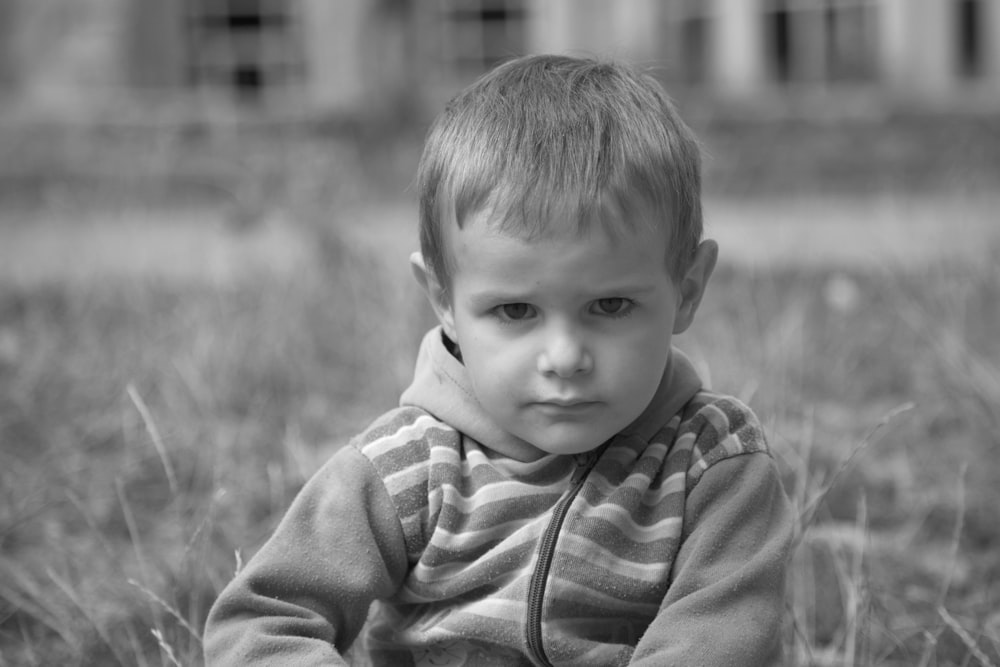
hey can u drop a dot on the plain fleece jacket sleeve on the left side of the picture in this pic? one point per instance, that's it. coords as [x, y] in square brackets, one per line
[302, 599]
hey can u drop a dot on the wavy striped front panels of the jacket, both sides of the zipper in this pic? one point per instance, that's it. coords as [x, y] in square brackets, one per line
[472, 522]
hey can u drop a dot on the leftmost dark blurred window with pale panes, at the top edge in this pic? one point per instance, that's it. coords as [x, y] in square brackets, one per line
[246, 50]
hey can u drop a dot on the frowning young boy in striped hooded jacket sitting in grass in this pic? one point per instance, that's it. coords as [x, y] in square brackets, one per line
[556, 487]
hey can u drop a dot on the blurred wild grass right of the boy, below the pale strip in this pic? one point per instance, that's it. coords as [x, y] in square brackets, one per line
[880, 407]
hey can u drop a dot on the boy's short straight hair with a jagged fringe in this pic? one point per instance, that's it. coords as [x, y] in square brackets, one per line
[544, 138]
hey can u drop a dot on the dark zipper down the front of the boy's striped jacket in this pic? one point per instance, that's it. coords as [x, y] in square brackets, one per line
[546, 552]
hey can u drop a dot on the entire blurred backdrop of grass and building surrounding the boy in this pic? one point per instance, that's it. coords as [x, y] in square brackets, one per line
[205, 215]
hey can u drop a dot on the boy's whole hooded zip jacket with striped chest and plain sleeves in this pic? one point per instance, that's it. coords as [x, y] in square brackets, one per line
[666, 546]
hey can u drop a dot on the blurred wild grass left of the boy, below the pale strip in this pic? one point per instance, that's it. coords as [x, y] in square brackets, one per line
[150, 430]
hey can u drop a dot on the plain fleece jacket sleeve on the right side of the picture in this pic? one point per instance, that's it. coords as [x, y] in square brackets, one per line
[726, 599]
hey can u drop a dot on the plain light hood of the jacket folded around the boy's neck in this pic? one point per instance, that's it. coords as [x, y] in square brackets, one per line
[441, 386]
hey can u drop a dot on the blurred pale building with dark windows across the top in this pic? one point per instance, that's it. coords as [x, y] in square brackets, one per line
[359, 57]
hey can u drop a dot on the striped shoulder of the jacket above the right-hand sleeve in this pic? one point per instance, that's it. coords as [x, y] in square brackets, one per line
[716, 427]
